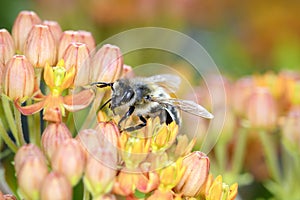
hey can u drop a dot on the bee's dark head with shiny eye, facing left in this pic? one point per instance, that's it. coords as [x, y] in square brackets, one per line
[122, 93]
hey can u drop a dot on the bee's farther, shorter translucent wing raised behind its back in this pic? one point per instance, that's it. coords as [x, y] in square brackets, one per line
[168, 81]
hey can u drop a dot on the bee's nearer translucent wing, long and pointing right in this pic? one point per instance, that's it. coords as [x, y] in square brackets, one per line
[186, 106]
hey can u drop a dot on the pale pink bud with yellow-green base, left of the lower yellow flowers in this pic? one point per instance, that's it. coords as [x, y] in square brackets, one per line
[100, 172]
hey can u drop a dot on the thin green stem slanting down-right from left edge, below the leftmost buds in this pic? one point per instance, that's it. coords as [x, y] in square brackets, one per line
[10, 119]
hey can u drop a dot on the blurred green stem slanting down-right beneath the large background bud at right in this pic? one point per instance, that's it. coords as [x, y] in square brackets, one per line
[271, 155]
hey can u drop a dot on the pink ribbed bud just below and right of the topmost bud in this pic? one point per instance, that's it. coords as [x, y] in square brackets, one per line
[40, 46]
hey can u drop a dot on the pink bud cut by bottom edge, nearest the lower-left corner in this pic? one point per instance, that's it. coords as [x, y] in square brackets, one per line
[31, 177]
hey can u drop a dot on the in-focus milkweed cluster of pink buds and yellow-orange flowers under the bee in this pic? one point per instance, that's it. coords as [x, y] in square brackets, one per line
[42, 68]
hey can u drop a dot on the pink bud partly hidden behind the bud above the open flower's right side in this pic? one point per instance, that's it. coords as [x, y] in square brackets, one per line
[66, 39]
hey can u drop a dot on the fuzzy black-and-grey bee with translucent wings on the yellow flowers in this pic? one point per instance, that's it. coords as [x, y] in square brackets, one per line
[149, 97]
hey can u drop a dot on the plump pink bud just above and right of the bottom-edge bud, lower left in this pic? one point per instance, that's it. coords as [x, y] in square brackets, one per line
[69, 159]
